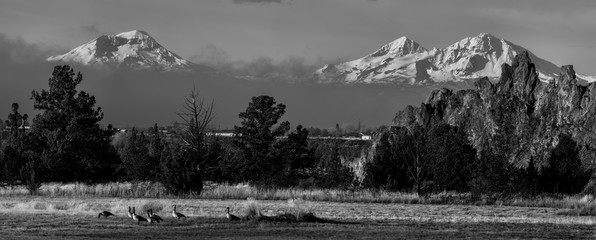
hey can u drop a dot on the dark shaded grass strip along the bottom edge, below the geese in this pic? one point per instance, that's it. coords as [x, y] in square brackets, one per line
[77, 227]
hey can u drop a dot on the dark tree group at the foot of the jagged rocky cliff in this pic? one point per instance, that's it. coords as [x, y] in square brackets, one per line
[439, 157]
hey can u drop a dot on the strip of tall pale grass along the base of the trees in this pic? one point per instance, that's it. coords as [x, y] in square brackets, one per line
[246, 191]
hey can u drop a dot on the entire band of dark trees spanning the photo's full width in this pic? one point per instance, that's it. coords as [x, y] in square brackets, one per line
[65, 143]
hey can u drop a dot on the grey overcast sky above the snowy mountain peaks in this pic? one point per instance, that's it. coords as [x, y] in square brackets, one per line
[560, 31]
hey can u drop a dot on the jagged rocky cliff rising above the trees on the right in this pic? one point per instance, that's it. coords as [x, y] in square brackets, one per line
[531, 112]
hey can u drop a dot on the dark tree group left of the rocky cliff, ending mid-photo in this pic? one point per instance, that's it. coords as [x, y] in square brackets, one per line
[65, 143]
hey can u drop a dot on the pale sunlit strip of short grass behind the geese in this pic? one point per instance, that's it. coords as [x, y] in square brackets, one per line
[203, 208]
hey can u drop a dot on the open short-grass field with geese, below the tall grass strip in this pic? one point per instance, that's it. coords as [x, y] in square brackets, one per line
[40, 218]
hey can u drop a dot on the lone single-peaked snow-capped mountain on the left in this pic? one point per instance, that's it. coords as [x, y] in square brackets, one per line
[132, 50]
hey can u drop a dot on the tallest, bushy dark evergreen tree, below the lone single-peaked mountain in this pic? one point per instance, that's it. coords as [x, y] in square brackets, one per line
[68, 127]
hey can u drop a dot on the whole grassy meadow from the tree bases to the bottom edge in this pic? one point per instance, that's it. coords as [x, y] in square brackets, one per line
[70, 211]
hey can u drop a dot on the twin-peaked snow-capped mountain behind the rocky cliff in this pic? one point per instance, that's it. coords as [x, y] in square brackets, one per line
[404, 61]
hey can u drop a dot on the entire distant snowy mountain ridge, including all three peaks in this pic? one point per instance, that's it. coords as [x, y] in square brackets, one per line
[400, 62]
